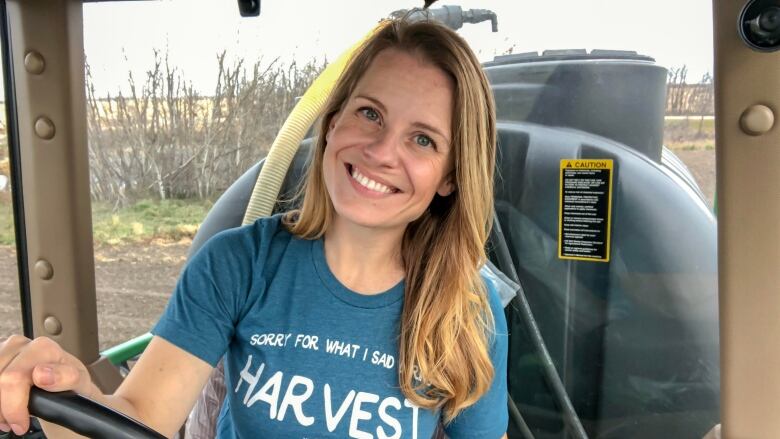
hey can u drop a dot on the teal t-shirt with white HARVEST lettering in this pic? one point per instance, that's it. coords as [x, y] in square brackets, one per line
[305, 356]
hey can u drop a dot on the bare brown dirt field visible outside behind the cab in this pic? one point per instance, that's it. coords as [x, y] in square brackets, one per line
[134, 281]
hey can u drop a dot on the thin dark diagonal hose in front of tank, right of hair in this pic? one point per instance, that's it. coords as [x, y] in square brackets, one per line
[521, 306]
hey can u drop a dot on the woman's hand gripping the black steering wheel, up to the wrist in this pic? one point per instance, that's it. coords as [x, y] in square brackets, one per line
[42, 363]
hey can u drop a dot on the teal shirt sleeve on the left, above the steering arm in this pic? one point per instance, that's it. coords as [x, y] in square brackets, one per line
[206, 304]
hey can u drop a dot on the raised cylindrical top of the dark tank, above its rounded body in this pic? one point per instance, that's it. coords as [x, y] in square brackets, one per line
[616, 94]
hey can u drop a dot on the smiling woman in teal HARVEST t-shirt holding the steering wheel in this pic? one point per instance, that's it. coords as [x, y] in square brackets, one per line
[362, 313]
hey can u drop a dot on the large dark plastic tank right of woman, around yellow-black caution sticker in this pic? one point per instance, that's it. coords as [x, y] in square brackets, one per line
[635, 339]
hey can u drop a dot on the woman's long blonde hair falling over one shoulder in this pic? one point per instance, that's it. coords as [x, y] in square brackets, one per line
[446, 320]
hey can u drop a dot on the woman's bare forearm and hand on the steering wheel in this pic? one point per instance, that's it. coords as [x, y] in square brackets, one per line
[159, 391]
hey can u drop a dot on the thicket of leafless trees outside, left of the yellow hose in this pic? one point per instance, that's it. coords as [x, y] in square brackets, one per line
[164, 139]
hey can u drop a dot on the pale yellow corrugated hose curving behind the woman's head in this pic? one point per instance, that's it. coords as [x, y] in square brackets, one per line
[269, 181]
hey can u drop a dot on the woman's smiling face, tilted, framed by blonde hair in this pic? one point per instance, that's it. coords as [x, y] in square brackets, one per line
[389, 148]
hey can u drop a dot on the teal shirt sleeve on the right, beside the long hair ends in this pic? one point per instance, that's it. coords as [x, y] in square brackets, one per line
[489, 417]
